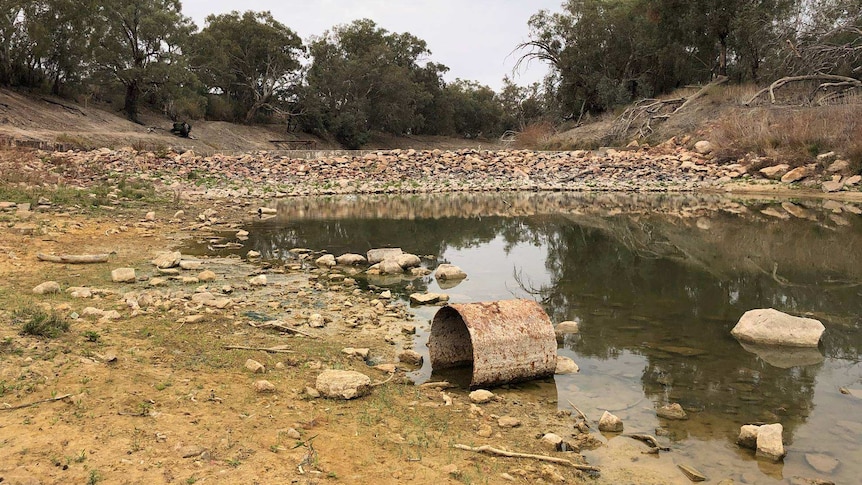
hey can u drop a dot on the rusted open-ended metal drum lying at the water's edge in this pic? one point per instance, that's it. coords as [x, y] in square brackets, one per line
[505, 341]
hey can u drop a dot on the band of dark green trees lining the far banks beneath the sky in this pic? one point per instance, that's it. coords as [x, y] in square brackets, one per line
[358, 78]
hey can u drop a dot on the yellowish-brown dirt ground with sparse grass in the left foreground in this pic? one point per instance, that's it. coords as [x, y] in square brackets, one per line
[154, 397]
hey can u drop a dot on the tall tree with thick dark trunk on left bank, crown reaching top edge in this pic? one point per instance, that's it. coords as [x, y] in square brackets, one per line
[139, 43]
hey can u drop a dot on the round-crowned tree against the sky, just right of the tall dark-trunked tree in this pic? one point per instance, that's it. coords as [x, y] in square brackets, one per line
[250, 57]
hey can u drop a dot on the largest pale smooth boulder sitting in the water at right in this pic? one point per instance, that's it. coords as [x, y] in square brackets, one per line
[772, 327]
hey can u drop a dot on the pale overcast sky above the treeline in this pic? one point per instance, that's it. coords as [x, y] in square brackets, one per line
[474, 38]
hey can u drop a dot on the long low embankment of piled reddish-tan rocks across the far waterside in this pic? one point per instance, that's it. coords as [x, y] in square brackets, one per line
[670, 166]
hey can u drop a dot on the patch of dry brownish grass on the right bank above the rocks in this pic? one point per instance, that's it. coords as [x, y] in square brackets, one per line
[795, 135]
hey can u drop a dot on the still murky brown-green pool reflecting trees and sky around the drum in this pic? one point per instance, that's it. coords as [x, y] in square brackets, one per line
[656, 283]
